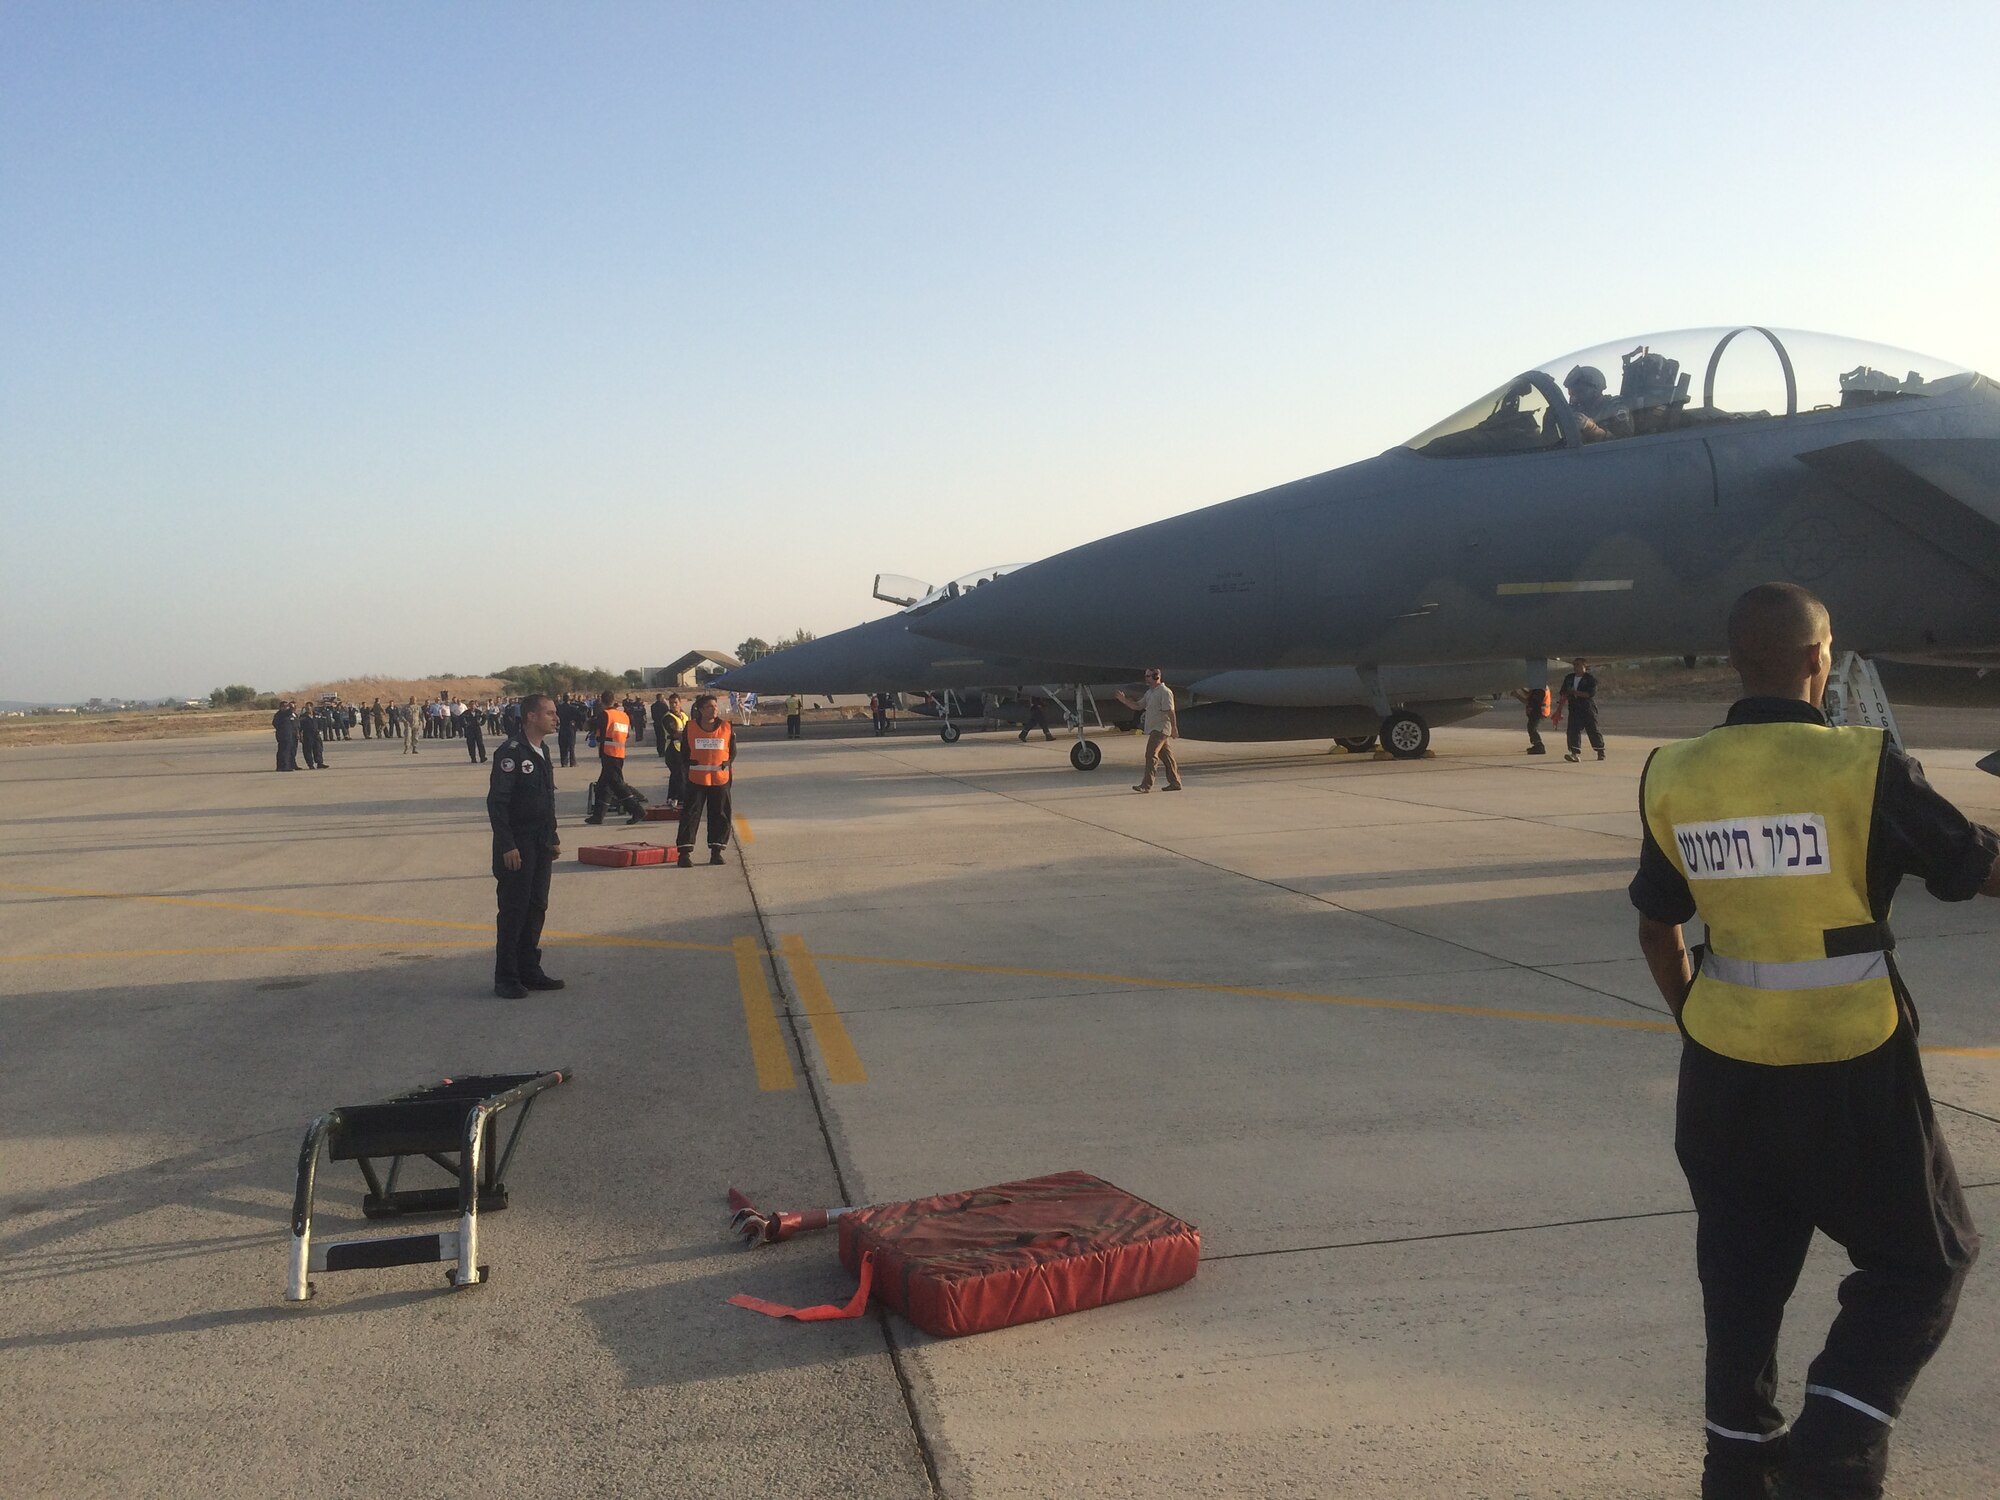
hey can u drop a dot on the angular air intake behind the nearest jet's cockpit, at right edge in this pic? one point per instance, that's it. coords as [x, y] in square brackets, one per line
[1943, 489]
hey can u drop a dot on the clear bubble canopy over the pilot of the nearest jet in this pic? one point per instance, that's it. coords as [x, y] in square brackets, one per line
[1693, 379]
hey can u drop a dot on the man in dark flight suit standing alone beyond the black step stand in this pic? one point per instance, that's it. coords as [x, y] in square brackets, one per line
[521, 805]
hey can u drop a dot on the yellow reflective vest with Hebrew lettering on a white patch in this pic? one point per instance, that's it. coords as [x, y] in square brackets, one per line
[1771, 825]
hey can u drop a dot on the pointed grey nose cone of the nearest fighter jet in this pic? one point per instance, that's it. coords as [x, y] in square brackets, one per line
[1189, 591]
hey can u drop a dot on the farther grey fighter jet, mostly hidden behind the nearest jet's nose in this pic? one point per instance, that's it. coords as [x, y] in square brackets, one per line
[1243, 707]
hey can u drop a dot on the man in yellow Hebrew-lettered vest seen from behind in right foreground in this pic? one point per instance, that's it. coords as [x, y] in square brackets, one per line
[1803, 1101]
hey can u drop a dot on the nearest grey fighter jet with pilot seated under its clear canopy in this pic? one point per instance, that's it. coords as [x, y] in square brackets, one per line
[1613, 503]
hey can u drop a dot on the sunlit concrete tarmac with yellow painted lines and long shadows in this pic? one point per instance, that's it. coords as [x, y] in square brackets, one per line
[1379, 1029]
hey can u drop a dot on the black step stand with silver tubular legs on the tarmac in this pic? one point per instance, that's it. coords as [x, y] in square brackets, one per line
[453, 1125]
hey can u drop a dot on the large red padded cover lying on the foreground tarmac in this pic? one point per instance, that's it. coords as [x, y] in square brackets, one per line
[967, 1263]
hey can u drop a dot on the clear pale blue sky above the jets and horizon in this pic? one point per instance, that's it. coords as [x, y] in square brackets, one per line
[397, 339]
